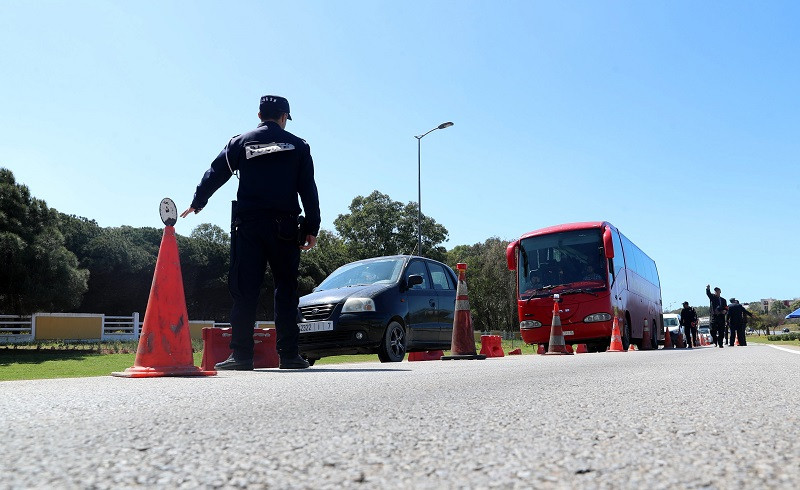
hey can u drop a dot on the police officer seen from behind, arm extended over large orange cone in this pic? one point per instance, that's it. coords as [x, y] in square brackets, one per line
[273, 167]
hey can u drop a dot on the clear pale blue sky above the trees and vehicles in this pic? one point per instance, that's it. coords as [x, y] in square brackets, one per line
[677, 121]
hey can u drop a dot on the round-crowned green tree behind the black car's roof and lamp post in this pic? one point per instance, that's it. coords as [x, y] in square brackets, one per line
[378, 226]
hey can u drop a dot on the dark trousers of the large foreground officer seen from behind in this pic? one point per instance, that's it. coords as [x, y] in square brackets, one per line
[258, 242]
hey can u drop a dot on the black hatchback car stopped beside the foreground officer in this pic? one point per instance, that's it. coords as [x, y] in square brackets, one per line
[385, 305]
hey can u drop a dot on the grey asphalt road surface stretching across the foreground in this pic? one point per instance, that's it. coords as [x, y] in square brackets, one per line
[705, 418]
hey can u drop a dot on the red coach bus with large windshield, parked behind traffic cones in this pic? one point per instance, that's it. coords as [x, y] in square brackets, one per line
[597, 272]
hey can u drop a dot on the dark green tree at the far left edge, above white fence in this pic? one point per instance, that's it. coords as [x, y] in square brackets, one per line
[39, 273]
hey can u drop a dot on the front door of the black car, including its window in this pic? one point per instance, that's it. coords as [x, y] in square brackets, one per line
[422, 301]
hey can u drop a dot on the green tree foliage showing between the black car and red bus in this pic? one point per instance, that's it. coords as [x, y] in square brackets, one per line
[492, 287]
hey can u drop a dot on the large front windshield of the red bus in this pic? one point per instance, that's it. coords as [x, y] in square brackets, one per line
[560, 262]
